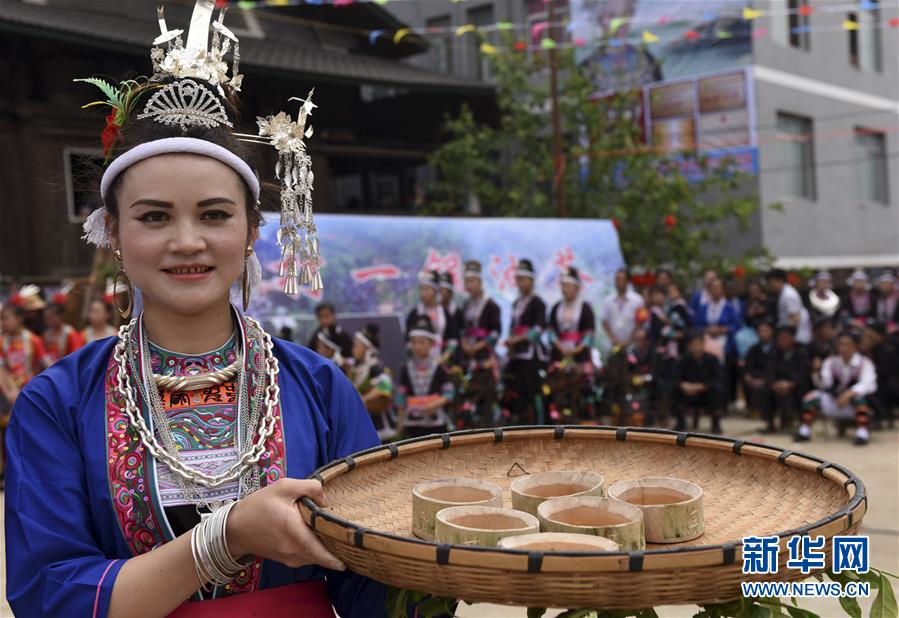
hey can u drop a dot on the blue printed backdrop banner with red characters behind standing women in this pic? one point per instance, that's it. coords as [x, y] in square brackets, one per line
[371, 266]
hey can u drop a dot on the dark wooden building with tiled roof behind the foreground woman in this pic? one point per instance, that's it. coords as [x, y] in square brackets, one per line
[378, 116]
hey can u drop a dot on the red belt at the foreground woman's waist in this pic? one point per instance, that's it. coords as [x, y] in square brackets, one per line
[307, 599]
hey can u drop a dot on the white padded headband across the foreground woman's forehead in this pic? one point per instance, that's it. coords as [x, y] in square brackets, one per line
[173, 145]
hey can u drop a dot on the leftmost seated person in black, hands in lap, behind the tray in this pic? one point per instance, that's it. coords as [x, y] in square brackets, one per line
[699, 382]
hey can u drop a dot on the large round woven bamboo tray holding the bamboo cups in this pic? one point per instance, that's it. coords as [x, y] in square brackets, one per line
[749, 490]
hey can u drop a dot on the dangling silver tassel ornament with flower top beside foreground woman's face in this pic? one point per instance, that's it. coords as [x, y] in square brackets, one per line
[298, 237]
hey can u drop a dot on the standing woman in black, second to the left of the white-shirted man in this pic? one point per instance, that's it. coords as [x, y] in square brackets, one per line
[527, 355]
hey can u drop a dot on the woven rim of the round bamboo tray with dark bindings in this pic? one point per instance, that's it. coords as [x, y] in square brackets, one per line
[344, 531]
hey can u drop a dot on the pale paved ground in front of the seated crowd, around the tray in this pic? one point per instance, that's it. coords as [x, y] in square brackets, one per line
[877, 465]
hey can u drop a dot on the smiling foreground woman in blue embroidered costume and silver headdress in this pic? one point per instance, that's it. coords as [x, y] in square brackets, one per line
[162, 465]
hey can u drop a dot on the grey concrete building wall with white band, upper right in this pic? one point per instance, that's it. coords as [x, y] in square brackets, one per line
[838, 227]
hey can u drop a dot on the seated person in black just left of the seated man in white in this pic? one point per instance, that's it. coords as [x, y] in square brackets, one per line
[790, 377]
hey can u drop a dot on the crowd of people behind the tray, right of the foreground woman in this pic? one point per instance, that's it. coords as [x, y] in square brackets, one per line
[667, 360]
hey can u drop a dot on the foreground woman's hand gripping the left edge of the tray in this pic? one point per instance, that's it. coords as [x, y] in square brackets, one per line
[268, 523]
